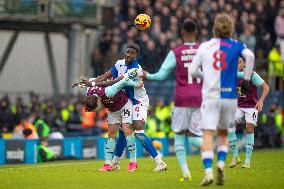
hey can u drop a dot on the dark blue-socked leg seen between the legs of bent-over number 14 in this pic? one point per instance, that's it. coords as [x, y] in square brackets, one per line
[119, 148]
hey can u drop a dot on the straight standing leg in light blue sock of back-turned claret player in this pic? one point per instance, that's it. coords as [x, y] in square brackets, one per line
[179, 146]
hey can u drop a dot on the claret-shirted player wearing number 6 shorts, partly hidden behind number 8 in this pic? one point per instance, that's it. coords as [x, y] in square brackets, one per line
[248, 107]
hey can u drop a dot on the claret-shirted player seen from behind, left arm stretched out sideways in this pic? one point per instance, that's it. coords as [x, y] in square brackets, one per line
[186, 117]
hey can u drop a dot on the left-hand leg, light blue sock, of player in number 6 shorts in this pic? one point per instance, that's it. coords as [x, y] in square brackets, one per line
[234, 147]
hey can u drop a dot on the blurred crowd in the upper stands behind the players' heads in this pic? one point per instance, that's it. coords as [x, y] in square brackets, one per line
[255, 25]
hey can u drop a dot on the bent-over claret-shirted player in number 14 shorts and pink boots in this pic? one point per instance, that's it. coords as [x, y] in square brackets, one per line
[120, 113]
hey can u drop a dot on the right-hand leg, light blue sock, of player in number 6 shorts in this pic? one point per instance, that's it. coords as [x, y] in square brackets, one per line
[249, 144]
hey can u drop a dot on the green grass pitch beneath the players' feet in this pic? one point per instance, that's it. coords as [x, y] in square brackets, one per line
[267, 171]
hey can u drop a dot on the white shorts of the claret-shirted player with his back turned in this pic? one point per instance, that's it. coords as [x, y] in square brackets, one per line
[186, 118]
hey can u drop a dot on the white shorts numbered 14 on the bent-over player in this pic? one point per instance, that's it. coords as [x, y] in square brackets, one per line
[124, 115]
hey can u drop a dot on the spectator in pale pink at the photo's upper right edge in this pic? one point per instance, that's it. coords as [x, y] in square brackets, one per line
[279, 30]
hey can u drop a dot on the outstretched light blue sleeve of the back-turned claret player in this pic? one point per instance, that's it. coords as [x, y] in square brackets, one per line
[167, 67]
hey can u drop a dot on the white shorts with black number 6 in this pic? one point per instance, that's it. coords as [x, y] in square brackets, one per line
[250, 115]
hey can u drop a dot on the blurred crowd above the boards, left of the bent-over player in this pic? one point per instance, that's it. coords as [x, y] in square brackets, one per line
[49, 117]
